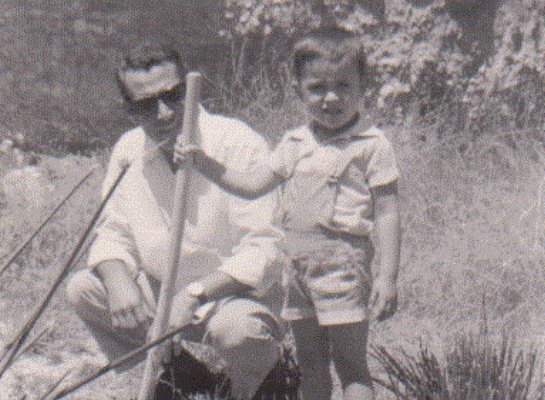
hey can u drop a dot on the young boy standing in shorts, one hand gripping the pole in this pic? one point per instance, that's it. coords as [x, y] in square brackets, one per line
[338, 179]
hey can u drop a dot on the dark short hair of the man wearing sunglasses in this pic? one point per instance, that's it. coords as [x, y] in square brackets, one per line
[144, 56]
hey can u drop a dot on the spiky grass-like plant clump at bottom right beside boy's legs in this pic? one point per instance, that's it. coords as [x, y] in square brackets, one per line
[475, 368]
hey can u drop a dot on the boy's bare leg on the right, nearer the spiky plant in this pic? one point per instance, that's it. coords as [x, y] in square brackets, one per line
[349, 351]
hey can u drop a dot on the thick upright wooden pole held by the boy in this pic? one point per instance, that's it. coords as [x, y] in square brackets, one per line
[183, 174]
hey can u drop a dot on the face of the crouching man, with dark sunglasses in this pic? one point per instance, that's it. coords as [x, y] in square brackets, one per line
[156, 103]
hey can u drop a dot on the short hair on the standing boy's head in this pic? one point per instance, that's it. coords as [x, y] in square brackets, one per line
[335, 44]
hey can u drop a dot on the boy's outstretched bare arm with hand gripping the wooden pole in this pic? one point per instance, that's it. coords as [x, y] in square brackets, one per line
[252, 184]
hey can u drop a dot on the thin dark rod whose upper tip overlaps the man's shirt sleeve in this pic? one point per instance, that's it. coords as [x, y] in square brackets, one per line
[16, 344]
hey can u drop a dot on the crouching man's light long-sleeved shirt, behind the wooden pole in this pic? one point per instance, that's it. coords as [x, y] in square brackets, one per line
[222, 232]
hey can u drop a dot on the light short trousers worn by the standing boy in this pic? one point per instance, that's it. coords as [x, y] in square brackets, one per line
[331, 282]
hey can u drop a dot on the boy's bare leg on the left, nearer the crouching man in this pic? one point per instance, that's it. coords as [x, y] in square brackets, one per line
[312, 346]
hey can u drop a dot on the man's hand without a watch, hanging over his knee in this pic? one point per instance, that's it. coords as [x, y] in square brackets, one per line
[127, 306]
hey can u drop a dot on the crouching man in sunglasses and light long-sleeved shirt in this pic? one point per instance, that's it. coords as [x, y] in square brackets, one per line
[228, 250]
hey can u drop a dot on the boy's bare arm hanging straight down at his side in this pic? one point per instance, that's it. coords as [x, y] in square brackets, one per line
[383, 299]
